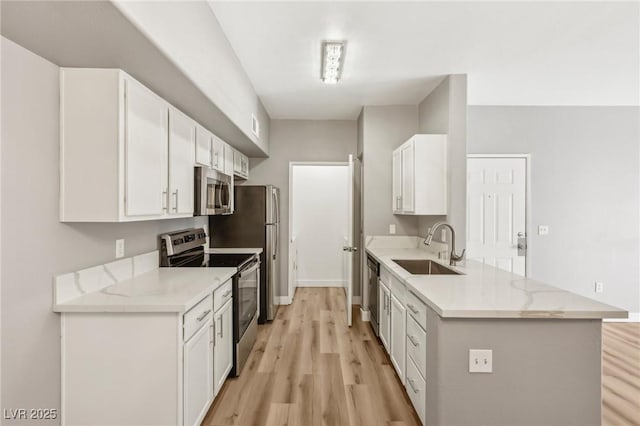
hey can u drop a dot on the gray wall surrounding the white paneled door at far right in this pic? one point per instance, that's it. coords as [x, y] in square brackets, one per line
[584, 185]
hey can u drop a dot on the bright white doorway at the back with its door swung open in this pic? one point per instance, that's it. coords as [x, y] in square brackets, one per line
[321, 226]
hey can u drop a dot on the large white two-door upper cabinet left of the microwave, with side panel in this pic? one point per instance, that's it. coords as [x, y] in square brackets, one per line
[119, 159]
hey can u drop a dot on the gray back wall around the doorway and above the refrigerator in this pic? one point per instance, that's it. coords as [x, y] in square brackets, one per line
[299, 140]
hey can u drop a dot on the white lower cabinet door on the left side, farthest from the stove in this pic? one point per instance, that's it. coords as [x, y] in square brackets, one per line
[198, 374]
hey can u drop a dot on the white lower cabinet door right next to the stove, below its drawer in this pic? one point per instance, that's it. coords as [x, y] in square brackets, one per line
[223, 349]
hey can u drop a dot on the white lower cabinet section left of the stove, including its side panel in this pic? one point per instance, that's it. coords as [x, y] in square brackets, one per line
[156, 368]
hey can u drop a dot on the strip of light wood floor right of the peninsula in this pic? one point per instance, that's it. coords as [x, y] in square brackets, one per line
[621, 374]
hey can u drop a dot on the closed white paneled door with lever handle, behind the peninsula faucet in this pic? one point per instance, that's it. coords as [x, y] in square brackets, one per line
[496, 212]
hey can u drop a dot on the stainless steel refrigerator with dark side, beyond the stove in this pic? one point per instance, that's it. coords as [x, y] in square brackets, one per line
[255, 222]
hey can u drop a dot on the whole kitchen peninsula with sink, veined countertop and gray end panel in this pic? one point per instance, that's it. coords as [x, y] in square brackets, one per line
[544, 364]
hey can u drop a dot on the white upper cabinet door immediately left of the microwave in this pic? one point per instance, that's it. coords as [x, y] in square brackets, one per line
[182, 135]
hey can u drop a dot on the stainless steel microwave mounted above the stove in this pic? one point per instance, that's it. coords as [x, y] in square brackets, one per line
[213, 192]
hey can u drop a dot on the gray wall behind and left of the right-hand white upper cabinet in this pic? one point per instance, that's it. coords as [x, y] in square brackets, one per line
[384, 128]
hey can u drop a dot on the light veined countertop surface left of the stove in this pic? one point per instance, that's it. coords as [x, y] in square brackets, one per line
[159, 290]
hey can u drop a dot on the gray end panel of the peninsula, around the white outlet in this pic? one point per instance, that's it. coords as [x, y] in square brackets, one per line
[545, 372]
